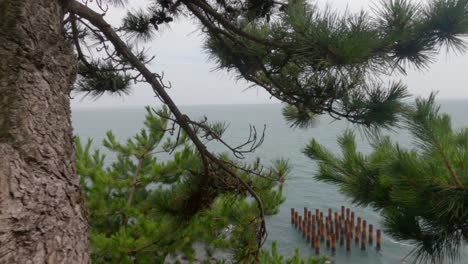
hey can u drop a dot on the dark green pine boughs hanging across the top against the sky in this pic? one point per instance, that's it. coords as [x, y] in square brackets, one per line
[318, 61]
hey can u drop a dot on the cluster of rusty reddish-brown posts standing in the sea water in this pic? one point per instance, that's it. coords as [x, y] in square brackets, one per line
[335, 227]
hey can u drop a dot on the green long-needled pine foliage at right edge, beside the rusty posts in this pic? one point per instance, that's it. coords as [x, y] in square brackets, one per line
[421, 192]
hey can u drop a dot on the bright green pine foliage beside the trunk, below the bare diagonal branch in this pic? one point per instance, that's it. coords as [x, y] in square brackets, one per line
[144, 208]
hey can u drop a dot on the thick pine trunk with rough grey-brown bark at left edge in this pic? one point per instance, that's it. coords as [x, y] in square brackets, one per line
[42, 214]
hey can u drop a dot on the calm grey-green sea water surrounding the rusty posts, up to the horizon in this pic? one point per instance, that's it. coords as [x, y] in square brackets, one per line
[301, 190]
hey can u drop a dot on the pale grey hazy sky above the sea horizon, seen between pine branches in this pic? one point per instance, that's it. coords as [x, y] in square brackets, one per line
[180, 56]
